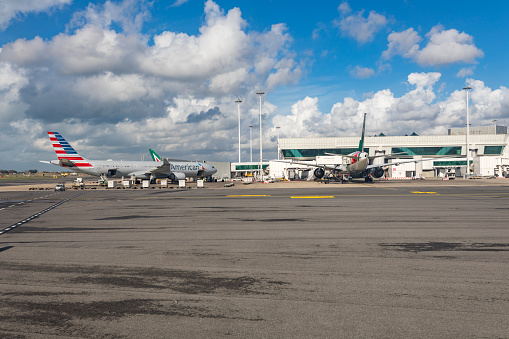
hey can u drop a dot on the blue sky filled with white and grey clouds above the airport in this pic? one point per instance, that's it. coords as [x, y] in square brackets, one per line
[116, 78]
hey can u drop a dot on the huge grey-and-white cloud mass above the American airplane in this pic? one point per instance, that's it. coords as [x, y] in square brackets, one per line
[100, 74]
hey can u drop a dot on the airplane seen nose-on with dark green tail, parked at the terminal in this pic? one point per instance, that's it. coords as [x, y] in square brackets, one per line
[357, 165]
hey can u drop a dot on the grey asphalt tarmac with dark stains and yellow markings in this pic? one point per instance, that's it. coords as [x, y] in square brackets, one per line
[389, 259]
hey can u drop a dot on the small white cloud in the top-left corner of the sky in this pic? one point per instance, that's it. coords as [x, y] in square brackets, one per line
[10, 10]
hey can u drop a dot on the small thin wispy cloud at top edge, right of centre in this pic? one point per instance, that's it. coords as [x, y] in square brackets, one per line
[358, 27]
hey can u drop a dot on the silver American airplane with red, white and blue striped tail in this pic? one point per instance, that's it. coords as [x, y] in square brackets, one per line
[174, 170]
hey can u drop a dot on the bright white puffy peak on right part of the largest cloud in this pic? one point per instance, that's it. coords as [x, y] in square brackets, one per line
[221, 47]
